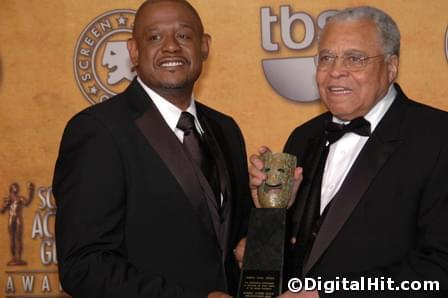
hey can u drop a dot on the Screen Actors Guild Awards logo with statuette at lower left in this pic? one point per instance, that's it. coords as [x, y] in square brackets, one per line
[24, 277]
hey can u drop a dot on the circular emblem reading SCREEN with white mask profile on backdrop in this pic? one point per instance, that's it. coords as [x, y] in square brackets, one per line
[101, 60]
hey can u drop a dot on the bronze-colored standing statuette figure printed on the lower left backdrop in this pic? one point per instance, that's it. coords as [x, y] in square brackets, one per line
[14, 204]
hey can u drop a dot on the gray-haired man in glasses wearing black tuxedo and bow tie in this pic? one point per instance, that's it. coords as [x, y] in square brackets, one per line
[373, 198]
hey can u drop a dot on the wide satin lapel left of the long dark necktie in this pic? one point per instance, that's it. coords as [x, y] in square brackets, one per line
[173, 155]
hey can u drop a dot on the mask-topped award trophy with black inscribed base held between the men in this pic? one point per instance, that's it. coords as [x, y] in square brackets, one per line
[261, 275]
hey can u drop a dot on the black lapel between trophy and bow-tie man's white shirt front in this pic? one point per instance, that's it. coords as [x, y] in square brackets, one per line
[310, 163]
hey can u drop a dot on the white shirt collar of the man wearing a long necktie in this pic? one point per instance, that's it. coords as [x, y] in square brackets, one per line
[169, 111]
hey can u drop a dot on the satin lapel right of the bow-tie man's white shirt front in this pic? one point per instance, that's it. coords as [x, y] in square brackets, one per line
[371, 159]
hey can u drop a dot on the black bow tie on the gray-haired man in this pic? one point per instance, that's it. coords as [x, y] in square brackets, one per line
[335, 131]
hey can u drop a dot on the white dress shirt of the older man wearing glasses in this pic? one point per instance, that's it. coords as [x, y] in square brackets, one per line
[343, 153]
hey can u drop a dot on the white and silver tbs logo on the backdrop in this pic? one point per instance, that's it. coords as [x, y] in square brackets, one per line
[292, 78]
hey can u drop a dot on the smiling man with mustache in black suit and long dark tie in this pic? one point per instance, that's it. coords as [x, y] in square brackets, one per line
[151, 186]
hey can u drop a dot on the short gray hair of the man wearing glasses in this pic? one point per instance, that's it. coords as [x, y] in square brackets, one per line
[385, 25]
